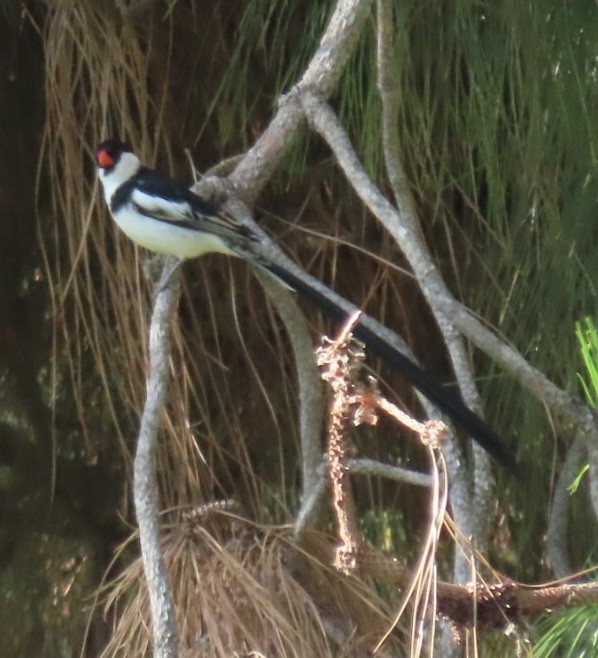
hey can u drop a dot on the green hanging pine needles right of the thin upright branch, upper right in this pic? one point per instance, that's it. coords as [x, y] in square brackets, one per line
[499, 141]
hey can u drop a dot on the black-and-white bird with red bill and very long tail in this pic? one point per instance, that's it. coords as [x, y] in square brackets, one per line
[165, 216]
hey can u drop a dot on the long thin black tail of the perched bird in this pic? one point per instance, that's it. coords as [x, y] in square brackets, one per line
[385, 344]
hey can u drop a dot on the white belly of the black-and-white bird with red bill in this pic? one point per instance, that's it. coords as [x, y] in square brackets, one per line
[166, 238]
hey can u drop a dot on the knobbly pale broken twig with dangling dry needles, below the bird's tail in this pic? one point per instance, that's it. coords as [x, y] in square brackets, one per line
[354, 403]
